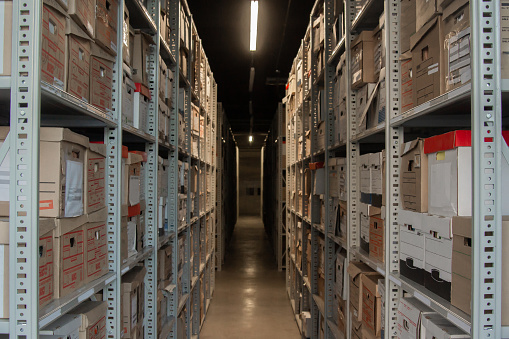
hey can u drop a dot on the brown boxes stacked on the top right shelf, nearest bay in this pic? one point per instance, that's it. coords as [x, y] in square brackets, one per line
[435, 49]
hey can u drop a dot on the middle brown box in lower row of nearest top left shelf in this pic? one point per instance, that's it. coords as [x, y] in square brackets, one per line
[77, 61]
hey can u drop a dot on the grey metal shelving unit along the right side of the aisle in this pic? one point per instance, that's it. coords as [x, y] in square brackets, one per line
[476, 106]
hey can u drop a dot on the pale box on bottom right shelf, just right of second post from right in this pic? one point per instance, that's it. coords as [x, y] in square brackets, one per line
[410, 314]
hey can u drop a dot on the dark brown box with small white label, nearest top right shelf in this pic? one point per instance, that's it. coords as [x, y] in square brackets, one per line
[427, 58]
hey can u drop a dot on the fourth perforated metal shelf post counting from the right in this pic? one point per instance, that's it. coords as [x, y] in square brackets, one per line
[330, 245]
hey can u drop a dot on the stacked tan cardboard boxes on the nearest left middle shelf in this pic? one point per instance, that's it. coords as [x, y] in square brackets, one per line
[73, 215]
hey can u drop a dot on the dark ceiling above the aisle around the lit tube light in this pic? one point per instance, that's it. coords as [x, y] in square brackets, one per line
[223, 26]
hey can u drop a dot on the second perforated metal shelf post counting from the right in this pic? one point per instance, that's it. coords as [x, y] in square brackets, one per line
[393, 141]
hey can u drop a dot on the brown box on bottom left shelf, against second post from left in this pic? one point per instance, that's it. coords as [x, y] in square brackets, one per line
[93, 319]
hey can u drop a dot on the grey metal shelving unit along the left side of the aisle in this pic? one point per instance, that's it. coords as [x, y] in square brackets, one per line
[34, 103]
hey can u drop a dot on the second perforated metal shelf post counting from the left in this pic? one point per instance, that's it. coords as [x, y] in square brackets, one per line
[113, 141]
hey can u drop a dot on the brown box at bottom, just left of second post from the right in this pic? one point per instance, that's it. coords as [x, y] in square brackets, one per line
[371, 304]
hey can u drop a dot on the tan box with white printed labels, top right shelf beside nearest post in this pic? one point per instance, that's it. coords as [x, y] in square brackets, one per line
[456, 63]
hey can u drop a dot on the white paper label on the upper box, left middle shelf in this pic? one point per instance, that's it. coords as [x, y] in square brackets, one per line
[74, 188]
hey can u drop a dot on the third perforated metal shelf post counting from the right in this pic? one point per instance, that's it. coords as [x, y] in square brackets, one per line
[352, 153]
